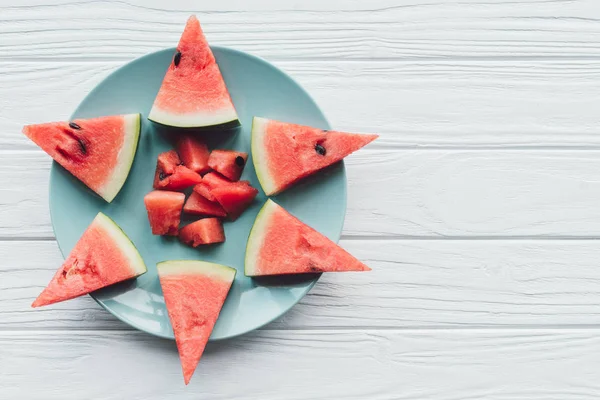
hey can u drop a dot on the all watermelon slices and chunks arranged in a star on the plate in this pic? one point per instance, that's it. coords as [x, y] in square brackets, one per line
[196, 190]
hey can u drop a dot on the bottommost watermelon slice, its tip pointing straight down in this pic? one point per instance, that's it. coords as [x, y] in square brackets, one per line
[194, 294]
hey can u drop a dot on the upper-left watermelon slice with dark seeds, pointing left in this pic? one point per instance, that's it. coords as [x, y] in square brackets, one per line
[98, 151]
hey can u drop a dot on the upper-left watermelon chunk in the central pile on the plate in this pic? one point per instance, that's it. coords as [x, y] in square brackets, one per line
[171, 175]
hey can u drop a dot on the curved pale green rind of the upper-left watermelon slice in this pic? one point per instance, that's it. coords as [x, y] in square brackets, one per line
[125, 158]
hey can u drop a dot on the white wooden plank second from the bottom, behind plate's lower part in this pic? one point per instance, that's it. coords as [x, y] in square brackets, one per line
[413, 284]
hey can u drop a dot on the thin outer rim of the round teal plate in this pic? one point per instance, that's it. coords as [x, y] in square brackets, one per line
[327, 125]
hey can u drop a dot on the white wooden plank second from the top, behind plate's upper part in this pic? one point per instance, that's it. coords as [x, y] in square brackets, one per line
[442, 104]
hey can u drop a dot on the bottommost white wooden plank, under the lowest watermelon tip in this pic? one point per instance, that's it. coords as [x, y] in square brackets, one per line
[378, 365]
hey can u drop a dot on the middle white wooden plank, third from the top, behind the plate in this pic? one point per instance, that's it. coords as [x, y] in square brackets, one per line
[402, 194]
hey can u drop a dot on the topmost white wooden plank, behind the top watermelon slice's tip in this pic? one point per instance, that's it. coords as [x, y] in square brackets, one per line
[380, 29]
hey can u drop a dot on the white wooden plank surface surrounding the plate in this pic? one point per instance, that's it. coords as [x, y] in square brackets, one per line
[478, 209]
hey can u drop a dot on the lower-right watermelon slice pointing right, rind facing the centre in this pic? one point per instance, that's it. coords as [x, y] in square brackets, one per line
[279, 243]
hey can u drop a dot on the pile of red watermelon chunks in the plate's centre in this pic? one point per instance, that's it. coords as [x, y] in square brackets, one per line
[217, 191]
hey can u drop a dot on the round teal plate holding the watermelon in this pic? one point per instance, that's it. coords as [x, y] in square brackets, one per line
[257, 88]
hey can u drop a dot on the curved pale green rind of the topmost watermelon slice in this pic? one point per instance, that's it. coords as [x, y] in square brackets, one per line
[224, 118]
